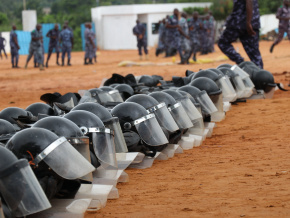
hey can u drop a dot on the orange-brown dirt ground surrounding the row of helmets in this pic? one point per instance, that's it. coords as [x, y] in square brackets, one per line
[242, 171]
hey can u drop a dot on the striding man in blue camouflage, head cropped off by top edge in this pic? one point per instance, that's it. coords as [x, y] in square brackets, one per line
[243, 23]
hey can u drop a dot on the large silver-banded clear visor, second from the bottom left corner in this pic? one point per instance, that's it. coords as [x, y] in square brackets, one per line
[65, 160]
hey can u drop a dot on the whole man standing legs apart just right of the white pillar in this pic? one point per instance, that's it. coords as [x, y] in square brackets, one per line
[35, 47]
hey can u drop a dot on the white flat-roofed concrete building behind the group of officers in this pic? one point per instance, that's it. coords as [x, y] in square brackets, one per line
[114, 24]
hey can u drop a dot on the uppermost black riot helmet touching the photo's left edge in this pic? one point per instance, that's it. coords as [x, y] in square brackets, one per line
[12, 112]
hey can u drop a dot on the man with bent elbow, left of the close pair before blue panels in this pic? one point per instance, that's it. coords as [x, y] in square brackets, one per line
[53, 35]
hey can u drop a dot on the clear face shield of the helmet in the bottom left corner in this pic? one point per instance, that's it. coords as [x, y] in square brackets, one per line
[21, 189]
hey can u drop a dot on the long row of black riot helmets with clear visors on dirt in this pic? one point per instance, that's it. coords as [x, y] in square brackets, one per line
[49, 150]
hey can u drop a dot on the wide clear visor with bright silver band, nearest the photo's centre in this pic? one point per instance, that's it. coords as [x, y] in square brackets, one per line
[150, 131]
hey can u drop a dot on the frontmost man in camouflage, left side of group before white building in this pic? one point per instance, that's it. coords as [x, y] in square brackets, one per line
[174, 35]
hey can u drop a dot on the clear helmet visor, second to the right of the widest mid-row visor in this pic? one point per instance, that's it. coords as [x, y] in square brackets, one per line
[180, 116]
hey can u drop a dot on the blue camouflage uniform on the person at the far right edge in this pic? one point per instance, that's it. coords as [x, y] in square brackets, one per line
[283, 24]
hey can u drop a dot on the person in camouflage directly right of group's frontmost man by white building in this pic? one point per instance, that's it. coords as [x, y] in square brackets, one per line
[195, 27]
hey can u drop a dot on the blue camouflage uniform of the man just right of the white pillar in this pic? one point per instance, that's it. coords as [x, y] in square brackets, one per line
[36, 47]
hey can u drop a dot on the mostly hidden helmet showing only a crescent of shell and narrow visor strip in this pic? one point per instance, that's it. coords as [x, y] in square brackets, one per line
[109, 122]
